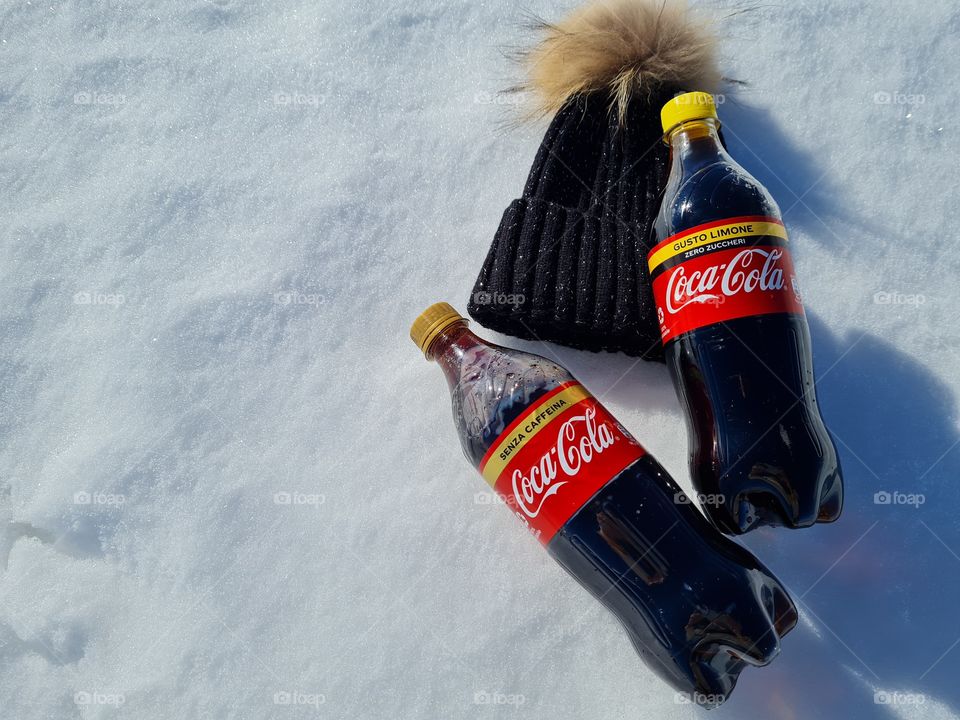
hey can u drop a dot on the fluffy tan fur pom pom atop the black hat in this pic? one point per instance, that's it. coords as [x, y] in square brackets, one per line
[623, 47]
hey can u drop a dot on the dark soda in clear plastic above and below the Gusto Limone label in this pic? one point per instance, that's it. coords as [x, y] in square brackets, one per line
[746, 385]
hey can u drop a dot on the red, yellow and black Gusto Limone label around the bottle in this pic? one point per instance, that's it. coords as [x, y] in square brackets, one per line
[720, 271]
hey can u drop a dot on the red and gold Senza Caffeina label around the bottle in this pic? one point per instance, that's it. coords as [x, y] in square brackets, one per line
[556, 456]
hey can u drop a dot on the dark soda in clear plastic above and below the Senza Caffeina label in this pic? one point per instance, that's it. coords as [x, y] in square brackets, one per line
[697, 607]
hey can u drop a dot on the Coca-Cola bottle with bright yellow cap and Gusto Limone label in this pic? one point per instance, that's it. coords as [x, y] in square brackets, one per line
[735, 337]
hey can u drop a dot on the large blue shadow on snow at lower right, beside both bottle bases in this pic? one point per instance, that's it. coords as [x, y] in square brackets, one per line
[877, 589]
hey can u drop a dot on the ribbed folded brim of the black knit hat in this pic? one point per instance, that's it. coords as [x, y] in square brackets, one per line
[561, 275]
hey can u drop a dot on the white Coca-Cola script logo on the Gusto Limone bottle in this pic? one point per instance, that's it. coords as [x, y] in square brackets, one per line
[750, 270]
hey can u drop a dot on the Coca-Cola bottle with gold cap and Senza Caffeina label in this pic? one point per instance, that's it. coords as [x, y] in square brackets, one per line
[697, 606]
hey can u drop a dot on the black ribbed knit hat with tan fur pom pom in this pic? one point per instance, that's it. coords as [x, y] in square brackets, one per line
[567, 263]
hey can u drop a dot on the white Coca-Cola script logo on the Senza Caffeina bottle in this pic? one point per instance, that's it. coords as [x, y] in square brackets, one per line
[579, 441]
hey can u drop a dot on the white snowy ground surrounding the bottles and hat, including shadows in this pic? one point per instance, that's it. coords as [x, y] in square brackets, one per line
[219, 219]
